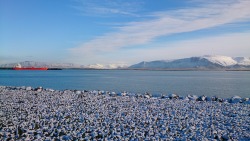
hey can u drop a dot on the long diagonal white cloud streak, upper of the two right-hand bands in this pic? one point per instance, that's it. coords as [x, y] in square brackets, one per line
[166, 23]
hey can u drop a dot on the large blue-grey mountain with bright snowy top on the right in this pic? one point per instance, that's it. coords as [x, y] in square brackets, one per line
[204, 62]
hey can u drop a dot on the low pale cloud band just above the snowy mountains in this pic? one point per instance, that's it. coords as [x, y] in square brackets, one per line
[235, 44]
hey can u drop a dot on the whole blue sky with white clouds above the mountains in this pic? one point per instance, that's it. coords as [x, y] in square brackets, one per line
[121, 31]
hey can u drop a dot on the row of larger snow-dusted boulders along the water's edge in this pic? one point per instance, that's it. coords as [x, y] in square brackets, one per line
[172, 96]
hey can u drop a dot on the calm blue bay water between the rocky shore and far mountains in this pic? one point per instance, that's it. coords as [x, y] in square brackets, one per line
[222, 83]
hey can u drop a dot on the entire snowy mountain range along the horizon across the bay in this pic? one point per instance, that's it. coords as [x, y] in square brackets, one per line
[206, 62]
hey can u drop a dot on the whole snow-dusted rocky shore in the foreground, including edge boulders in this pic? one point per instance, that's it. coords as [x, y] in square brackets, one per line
[45, 114]
